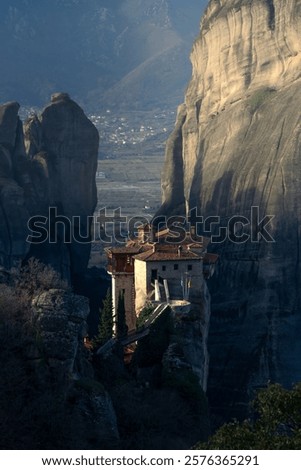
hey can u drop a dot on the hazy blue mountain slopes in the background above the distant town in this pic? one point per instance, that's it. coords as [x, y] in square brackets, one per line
[129, 54]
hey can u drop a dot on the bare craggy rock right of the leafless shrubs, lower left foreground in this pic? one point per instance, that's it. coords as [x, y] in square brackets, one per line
[59, 318]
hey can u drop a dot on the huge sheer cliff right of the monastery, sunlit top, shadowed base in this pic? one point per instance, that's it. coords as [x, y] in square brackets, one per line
[236, 145]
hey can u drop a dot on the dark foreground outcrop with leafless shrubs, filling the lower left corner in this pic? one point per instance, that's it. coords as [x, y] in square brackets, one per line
[50, 397]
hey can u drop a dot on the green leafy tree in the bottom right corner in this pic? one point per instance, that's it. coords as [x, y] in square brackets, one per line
[276, 426]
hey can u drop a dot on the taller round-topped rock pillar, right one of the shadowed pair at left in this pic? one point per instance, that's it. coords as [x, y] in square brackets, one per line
[63, 145]
